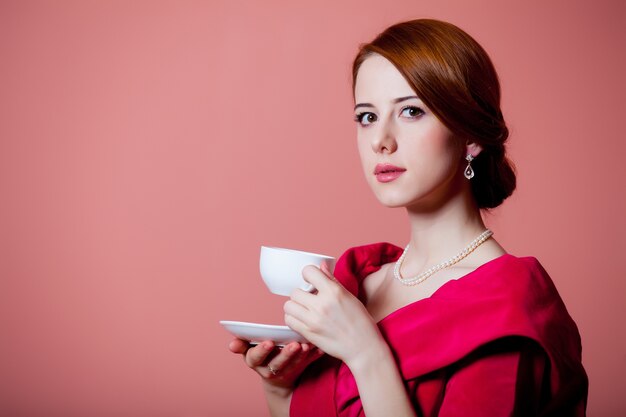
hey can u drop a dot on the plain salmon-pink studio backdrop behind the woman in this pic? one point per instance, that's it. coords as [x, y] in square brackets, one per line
[148, 149]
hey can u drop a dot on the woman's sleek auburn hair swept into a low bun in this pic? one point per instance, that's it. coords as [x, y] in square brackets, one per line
[453, 75]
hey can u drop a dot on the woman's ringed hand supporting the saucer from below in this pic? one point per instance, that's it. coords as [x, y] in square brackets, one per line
[287, 362]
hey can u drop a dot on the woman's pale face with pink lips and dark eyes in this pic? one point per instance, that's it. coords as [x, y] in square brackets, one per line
[409, 157]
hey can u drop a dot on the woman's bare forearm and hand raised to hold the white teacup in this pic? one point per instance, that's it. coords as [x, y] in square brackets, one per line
[340, 325]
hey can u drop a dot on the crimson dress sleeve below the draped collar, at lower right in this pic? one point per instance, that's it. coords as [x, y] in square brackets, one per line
[504, 378]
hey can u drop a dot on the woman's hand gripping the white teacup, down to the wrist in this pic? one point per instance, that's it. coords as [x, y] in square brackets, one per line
[332, 319]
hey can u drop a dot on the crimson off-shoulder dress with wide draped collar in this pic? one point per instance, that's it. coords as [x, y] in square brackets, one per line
[496, 342]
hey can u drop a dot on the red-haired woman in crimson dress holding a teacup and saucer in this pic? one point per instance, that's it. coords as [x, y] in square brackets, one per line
[452, 325]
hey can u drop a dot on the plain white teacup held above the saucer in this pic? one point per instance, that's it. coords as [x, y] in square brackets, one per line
[281, 269]
